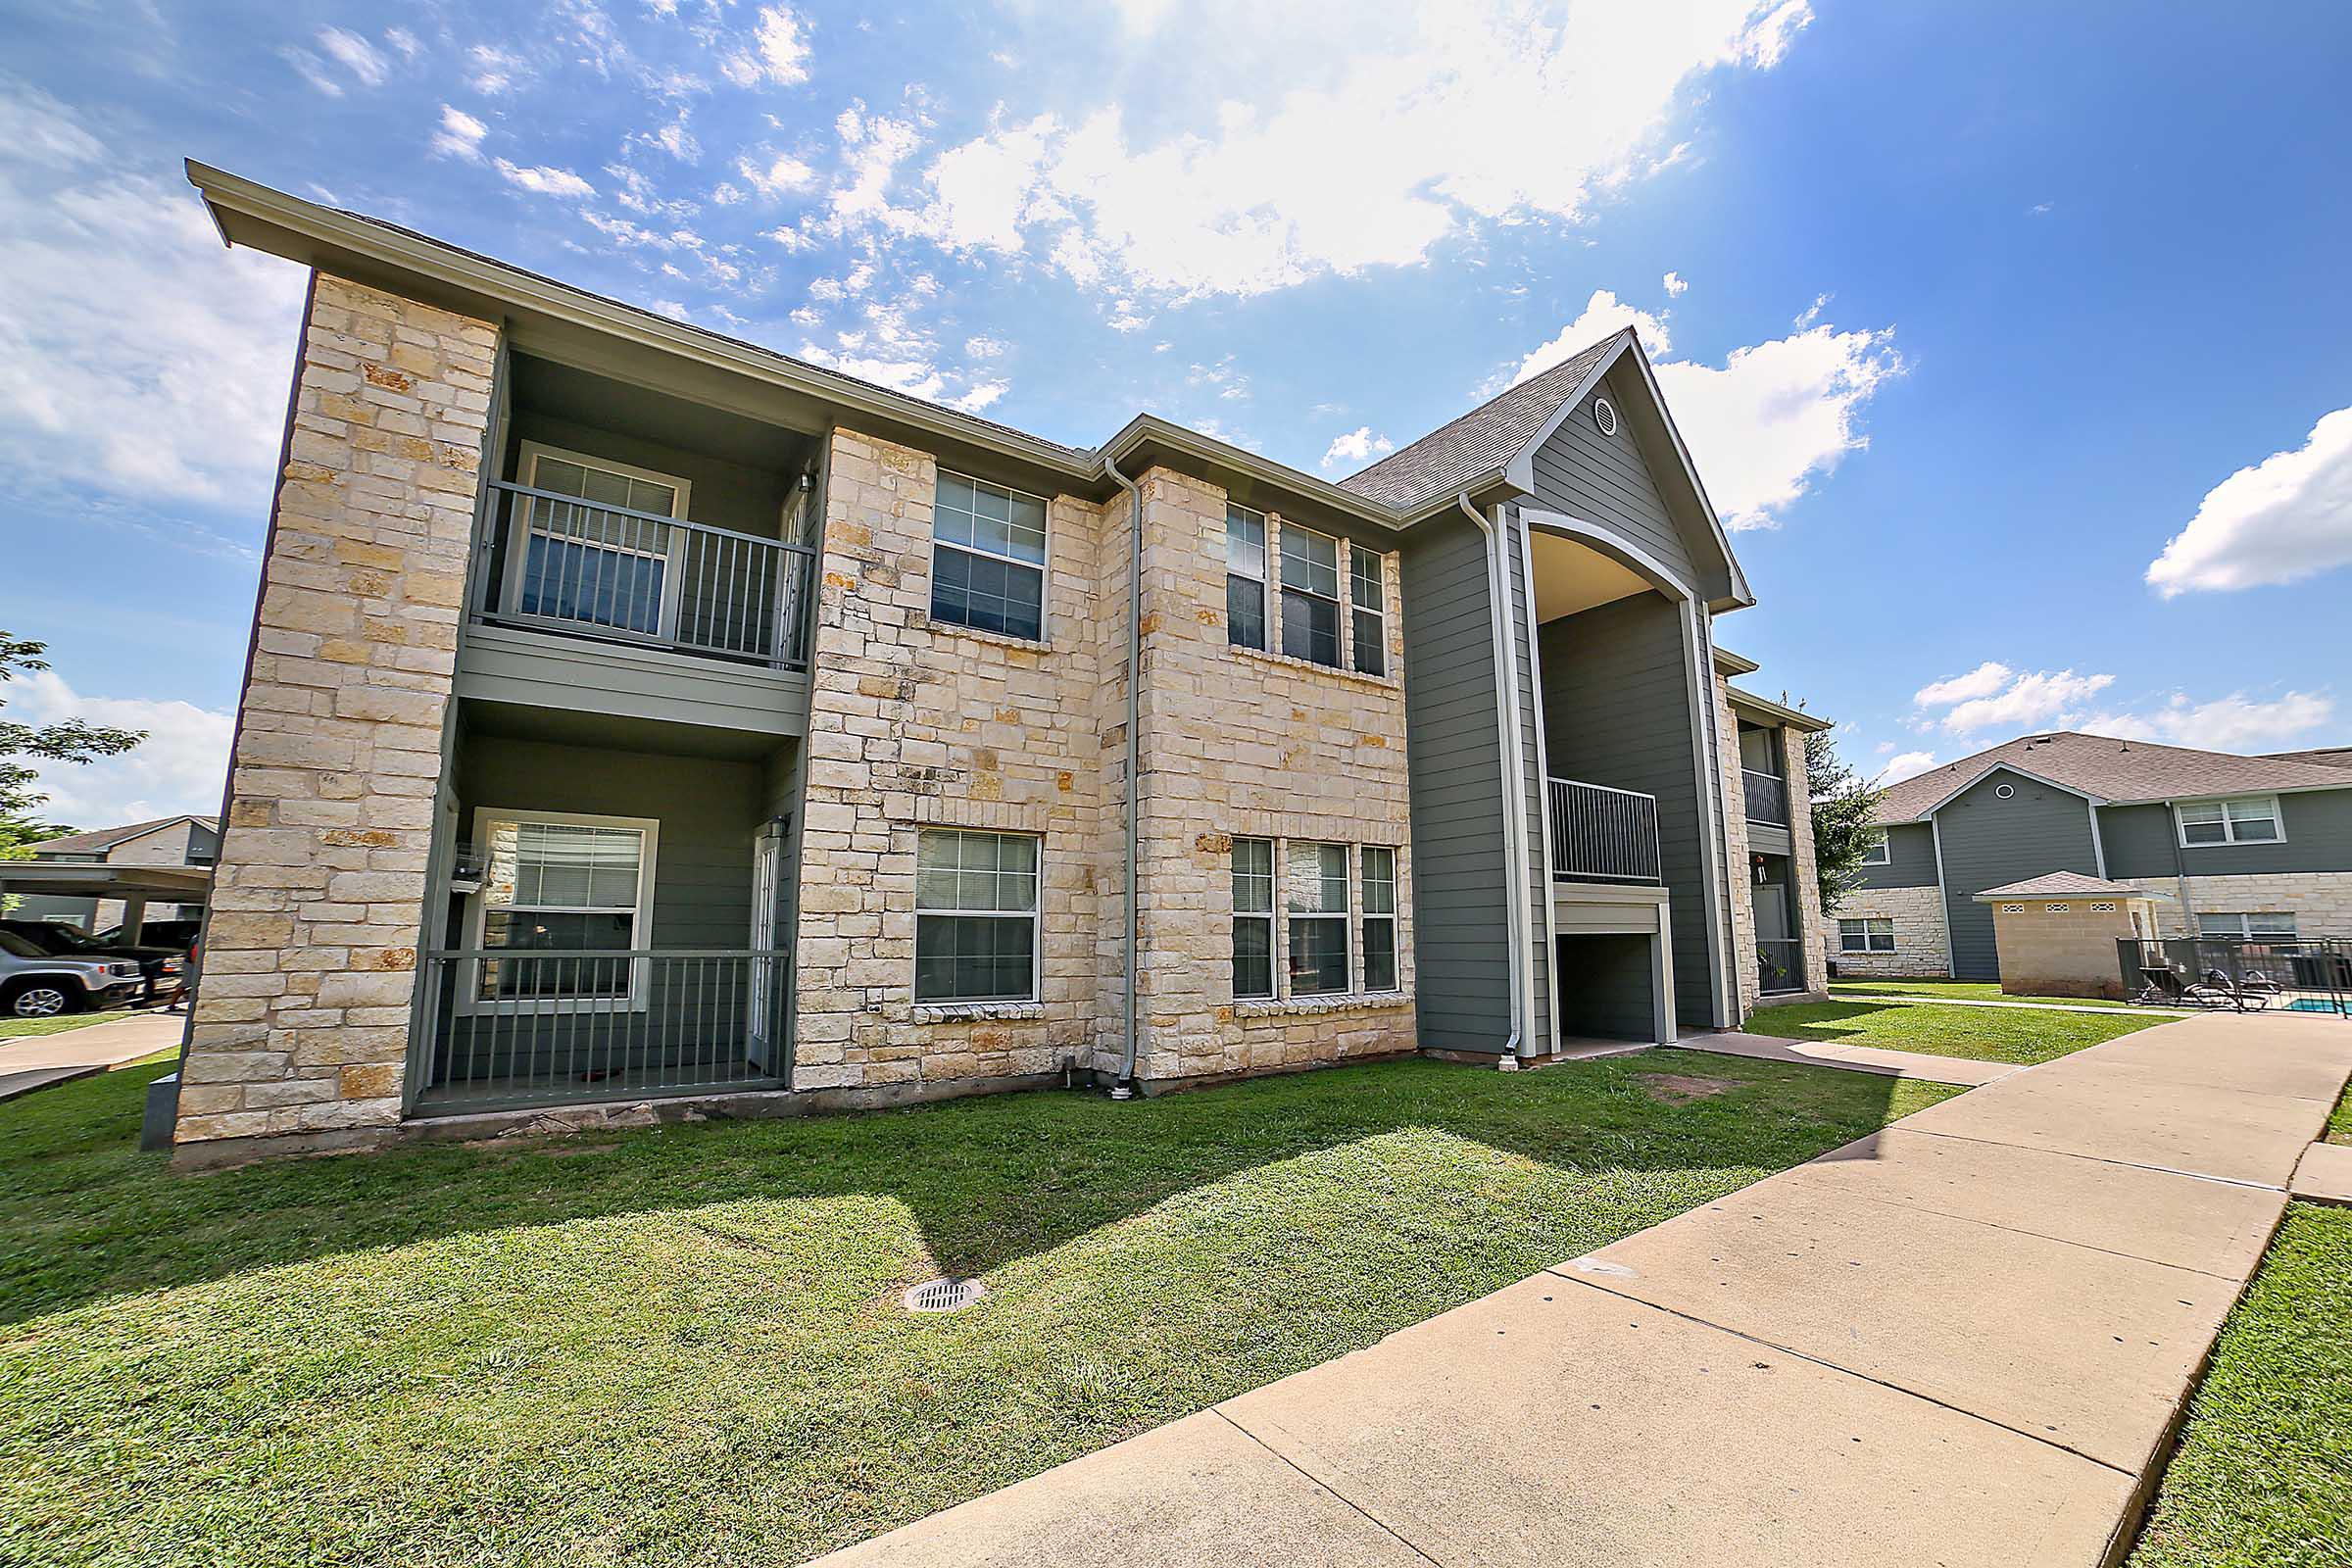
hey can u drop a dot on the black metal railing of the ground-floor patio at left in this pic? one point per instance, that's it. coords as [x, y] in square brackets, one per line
[544, 1028]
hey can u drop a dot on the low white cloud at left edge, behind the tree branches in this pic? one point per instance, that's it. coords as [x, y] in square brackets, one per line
[180, 768]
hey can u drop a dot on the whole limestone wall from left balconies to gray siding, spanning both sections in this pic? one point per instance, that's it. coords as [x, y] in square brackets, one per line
[926, 725]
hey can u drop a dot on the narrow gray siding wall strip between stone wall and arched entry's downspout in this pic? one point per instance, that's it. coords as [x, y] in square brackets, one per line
[1462, 937]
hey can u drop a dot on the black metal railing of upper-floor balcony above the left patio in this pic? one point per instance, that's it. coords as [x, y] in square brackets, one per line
[592, 570]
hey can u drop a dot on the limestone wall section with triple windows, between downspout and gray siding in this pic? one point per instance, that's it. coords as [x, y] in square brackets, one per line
[1255, 744]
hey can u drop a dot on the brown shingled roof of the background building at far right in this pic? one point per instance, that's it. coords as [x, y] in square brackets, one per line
[2113, 770]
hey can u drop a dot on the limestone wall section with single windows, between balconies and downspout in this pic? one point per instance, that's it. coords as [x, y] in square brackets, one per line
[921, 725]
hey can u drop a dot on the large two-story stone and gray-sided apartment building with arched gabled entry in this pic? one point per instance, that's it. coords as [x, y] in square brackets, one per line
[643, 718]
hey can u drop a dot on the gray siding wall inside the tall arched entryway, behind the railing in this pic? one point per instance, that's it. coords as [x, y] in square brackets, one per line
[1619, 713]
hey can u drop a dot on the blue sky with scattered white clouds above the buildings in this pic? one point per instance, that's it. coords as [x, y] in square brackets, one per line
[2012, 337]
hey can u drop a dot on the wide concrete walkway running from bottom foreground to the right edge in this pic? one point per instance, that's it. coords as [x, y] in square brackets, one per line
[1960, 1341]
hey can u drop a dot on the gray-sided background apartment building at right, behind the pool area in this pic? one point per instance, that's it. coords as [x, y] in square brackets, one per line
[2224, 845]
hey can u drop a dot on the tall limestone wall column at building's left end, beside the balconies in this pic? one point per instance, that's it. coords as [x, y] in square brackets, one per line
[302, 1019]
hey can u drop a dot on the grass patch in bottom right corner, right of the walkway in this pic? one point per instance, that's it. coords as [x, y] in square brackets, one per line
[2264, 1475]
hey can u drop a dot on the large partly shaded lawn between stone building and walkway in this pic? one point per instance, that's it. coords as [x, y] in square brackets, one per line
[683, 1346]
